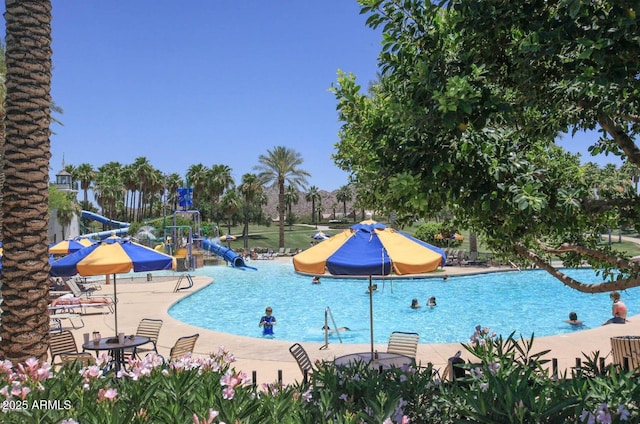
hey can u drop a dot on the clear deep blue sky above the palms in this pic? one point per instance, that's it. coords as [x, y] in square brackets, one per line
[211, 82]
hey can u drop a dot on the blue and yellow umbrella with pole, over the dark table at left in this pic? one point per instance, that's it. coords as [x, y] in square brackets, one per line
[112, 256]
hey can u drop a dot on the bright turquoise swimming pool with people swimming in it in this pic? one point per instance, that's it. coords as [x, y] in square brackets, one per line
[527, 302]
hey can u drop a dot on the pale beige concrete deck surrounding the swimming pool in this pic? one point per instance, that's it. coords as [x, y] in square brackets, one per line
[139, 298]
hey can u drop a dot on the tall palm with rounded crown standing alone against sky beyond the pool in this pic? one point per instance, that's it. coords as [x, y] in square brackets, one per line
[281, 165]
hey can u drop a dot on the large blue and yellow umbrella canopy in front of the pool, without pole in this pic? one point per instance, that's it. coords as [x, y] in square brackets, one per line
[370, 248]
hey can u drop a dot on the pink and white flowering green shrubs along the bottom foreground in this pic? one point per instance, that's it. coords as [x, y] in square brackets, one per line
[507, 383]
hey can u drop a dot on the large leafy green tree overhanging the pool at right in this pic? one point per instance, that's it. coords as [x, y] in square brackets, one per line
[470, 100]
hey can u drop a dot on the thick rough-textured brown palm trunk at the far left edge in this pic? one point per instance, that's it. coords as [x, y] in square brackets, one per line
[25, 273]
